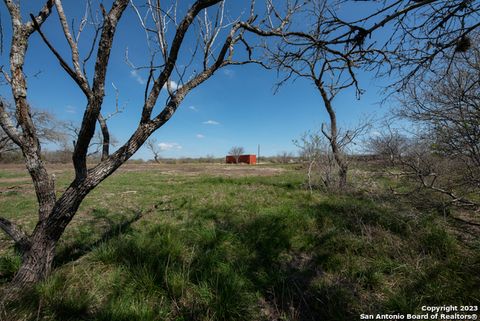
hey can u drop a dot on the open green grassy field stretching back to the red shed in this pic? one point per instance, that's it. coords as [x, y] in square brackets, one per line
[217, 242]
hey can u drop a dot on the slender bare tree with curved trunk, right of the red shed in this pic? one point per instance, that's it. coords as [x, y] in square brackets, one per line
[312, 52]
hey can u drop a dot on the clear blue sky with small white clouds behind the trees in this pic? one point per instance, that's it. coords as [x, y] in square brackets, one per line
[236, 107]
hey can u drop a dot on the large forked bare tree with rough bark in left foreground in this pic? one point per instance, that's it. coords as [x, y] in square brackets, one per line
[166, 33]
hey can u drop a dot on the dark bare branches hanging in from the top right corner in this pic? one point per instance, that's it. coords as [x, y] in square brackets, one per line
[409, 38]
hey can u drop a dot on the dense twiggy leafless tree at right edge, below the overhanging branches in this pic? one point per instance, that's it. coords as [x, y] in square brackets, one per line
[445, 112]
